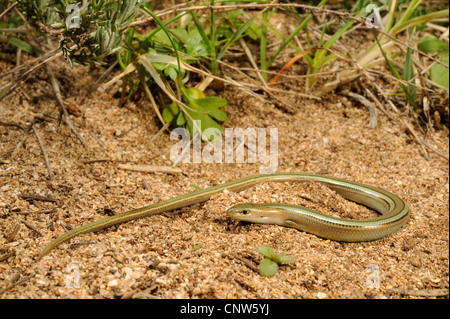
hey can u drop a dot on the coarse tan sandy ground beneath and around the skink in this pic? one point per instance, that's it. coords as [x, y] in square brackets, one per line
[158, 257]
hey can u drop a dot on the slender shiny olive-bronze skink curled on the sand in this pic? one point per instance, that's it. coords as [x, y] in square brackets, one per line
[393, 209]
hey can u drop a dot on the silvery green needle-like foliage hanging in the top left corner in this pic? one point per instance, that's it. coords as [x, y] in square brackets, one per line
[94, 26]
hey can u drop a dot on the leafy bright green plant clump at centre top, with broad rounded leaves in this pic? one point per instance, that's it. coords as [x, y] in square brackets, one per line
[189, 44]
